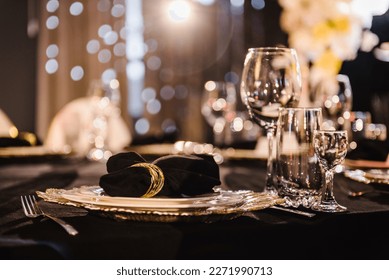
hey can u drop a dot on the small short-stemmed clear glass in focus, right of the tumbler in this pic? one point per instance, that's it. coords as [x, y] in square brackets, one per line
[331, 149]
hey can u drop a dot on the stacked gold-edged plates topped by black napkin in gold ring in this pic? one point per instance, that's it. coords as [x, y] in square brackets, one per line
[171, 188]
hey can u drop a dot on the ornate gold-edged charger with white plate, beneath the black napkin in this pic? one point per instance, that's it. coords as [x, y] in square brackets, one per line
[209, 208]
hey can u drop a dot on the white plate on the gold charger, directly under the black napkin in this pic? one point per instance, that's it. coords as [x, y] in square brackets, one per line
[94, 195]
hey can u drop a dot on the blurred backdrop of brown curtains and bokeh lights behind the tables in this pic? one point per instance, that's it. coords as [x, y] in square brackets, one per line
[161, 53]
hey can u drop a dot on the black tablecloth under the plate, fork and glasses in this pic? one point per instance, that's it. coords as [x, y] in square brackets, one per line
[359, 233]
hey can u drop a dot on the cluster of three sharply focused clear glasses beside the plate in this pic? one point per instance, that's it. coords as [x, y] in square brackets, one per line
[270, 85]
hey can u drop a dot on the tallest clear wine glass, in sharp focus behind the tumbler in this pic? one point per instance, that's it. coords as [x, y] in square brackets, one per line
[271, 79]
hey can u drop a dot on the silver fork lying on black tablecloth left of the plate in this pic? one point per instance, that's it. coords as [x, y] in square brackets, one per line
[32, 210]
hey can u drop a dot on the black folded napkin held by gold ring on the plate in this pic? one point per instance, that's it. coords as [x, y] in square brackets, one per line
[185, 175]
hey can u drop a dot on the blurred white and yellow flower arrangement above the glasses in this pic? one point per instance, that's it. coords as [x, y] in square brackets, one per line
[327, 32]
